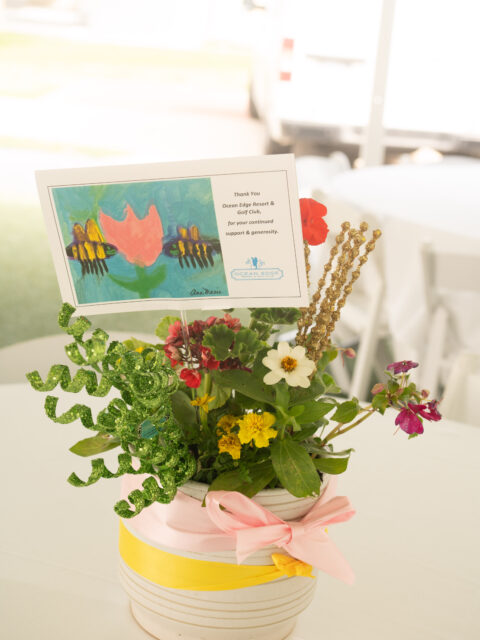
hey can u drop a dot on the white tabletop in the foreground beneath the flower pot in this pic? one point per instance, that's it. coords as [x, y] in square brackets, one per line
[413, 543]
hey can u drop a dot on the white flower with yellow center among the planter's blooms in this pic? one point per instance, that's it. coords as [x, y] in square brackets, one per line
[290, 363]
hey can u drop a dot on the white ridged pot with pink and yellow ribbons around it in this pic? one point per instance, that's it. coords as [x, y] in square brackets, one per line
[262, 612]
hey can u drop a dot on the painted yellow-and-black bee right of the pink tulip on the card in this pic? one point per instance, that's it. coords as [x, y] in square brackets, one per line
[191, 249]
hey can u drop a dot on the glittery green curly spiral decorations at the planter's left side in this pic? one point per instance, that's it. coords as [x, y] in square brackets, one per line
[145, 383]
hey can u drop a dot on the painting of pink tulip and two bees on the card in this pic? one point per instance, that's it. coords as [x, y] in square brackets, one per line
[140, 240]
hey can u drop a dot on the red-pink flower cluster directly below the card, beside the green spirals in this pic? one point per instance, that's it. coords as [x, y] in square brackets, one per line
[194, 356]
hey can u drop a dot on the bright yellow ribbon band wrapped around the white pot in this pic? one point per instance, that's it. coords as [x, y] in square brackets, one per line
[177, 572]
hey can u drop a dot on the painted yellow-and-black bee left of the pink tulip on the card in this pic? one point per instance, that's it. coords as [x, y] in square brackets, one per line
[89, 248]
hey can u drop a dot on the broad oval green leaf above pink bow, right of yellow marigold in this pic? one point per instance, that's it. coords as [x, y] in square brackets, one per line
[294, 468]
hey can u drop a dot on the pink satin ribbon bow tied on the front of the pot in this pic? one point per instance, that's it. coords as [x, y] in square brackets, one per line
[255, 527]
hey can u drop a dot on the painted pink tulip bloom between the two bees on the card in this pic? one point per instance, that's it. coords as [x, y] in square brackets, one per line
[140, 241]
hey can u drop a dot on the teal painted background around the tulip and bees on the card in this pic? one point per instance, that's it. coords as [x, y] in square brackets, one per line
[179, 202]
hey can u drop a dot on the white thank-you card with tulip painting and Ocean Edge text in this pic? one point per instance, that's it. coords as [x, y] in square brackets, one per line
[209, 234]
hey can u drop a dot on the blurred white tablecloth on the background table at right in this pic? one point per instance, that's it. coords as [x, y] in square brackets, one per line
[415, 204]
